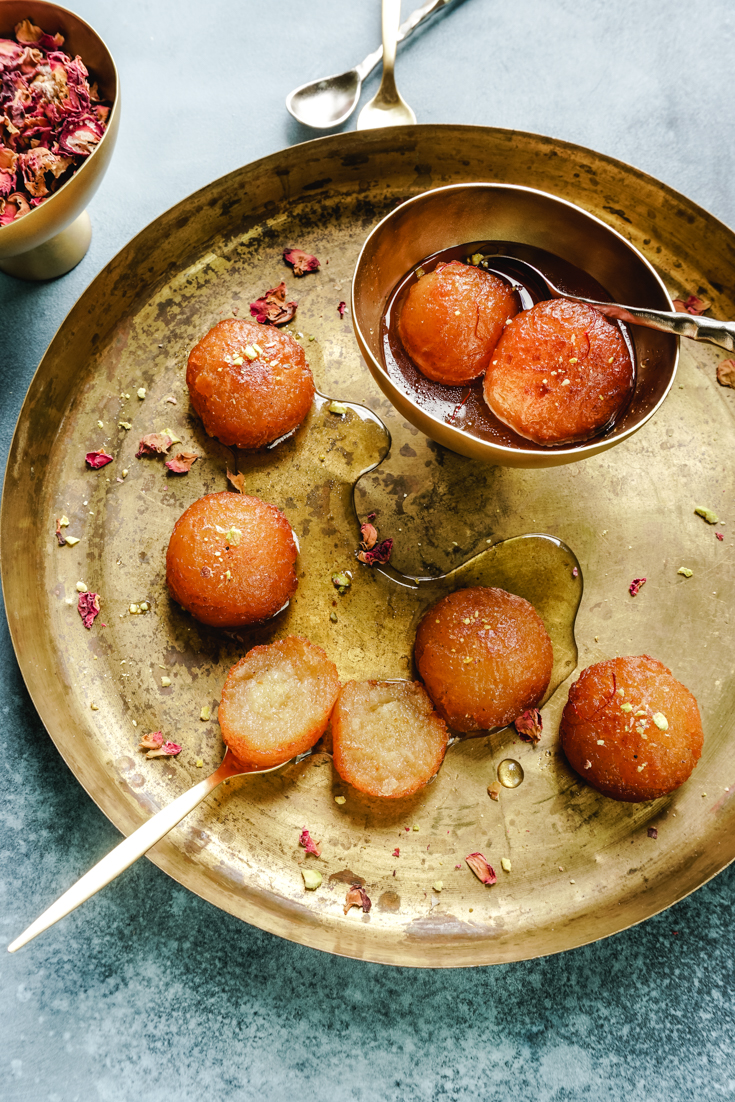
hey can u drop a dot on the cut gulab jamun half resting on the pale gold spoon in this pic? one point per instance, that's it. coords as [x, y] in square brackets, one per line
[276, 704]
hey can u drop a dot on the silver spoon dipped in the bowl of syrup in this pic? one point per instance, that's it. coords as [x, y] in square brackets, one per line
[682, 326]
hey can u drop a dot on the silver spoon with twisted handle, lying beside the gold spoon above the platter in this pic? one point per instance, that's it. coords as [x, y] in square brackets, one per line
[330, 103]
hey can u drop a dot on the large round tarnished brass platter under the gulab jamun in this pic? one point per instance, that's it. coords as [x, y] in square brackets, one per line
[582, 867]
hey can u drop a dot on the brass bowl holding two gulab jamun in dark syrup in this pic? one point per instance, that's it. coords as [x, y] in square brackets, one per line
[463, 213]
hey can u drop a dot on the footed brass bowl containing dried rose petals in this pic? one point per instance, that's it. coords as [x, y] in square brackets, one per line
[53, 239]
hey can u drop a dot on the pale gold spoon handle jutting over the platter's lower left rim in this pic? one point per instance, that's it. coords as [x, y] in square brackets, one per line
[126, 853]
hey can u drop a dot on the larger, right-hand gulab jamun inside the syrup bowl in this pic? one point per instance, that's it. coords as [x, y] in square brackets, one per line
[560, 373]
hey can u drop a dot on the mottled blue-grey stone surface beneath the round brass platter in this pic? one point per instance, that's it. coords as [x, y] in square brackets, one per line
[148, 993]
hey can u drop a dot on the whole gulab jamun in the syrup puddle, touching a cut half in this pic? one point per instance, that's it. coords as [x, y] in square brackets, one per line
[484, 656]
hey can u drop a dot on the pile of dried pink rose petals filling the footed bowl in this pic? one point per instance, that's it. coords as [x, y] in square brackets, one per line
[51, 120]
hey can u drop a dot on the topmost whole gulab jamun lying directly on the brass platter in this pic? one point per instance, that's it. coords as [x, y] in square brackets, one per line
[251, 384]
